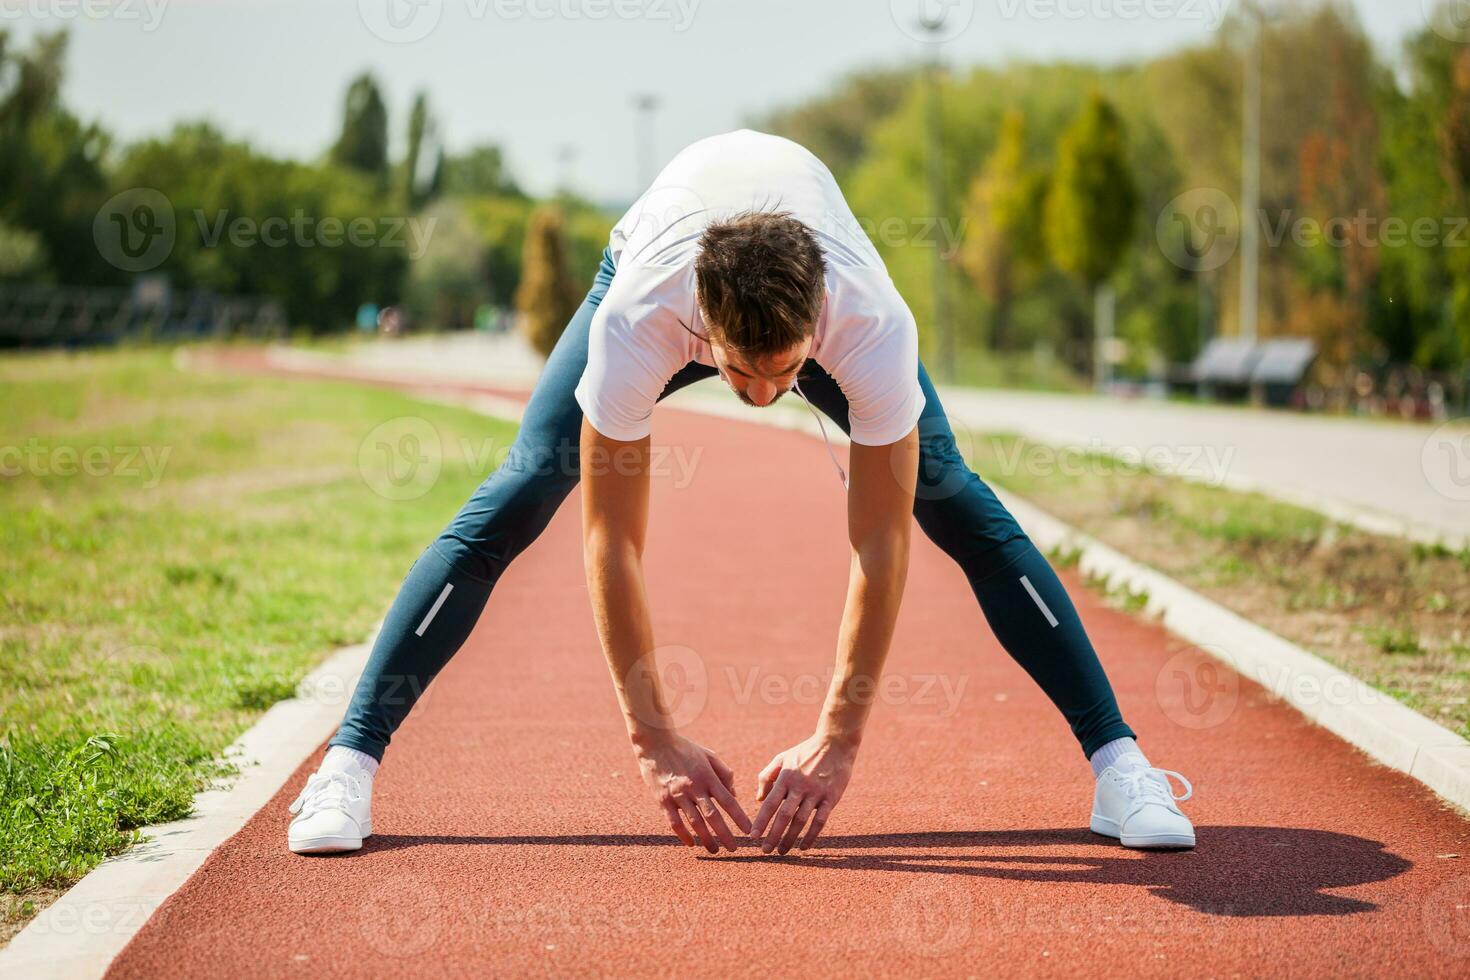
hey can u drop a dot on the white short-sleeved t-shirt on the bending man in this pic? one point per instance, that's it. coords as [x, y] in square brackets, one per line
[867, 337]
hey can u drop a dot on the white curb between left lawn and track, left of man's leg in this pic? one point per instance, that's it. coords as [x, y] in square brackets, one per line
[80, 934]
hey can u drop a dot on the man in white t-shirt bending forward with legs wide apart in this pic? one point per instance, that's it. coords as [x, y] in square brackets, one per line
[742, 261]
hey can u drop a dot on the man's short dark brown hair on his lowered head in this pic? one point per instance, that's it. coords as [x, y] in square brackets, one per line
[761, 281]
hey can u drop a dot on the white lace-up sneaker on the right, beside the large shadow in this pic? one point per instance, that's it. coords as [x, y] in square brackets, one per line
[1139, 806]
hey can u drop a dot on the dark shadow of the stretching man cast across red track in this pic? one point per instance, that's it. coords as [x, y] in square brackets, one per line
[1240, 872]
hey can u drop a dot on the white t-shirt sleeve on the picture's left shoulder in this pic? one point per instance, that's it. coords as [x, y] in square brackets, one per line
[631, 356]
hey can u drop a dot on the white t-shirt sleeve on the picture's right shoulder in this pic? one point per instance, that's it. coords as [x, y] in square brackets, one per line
[880, 368]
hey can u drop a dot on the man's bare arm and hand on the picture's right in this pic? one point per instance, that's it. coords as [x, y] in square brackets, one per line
[808, 781]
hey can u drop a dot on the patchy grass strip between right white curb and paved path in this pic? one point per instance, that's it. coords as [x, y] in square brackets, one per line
[1391, 612]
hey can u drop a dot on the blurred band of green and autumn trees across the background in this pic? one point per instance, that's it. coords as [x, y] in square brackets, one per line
[1055, 179]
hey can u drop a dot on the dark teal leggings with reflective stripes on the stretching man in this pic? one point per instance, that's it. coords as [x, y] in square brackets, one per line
[448, 587]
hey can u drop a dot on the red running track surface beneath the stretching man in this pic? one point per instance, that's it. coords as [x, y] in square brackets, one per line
[514, 835]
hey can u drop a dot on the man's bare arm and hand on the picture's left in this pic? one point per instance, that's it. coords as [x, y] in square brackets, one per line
[687, 779]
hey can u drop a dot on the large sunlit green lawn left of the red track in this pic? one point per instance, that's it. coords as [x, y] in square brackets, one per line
[177, 552]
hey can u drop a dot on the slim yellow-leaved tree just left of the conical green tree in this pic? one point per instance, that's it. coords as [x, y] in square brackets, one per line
[1005, 248]
